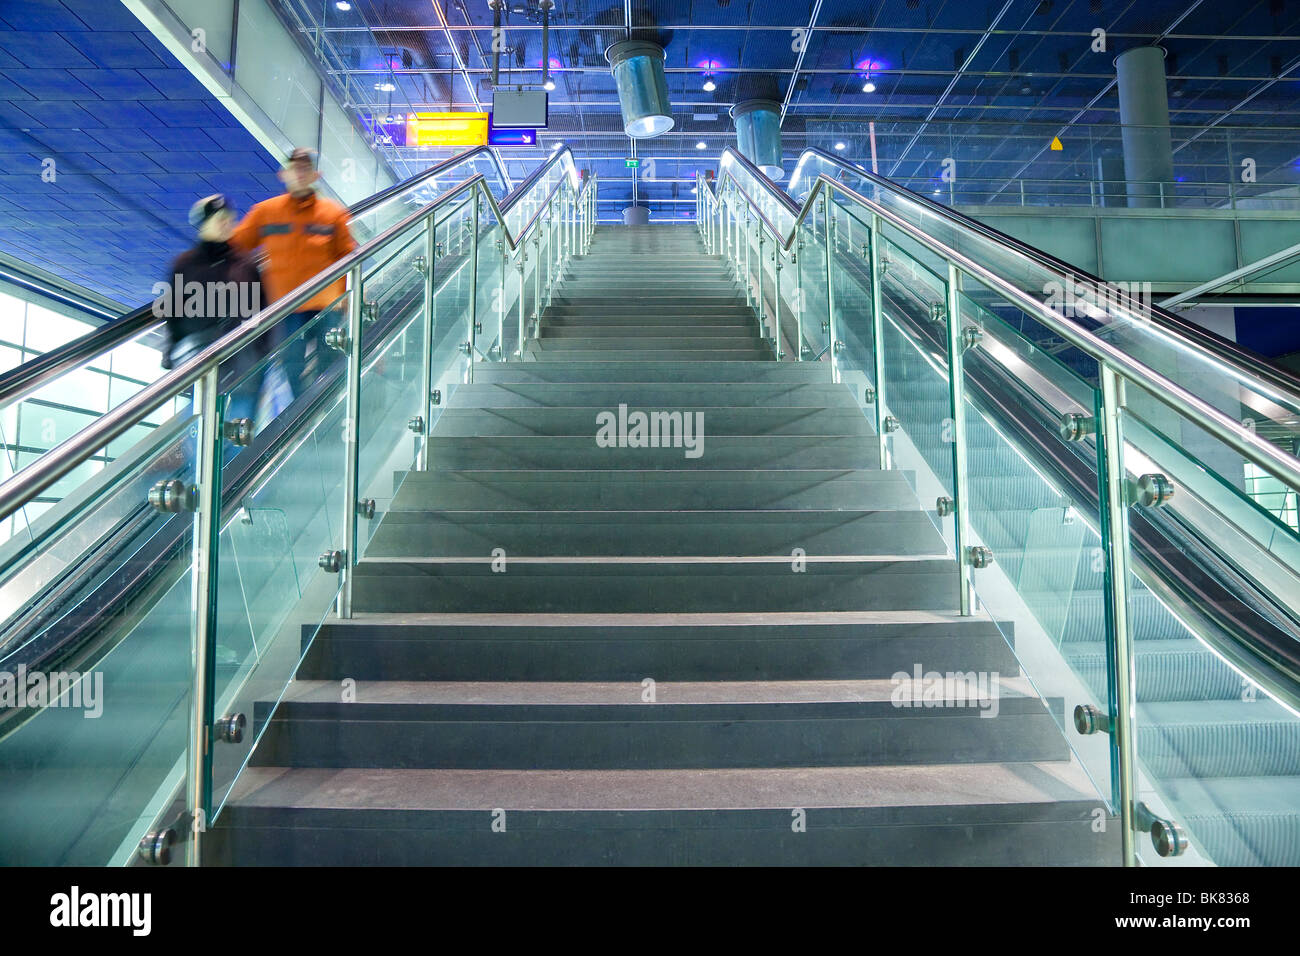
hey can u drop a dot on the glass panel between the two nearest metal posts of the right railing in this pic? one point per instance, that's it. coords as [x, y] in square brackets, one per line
[1046, 586]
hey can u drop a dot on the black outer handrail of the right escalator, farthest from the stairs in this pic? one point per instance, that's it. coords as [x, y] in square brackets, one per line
[1221, 349]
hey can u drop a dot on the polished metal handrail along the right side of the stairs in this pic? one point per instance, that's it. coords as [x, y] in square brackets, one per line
[1228, 430]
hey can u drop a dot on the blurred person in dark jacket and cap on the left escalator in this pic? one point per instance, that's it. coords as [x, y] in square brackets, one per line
[211, 289]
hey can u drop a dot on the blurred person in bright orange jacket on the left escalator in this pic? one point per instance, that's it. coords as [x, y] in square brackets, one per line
[302, 235]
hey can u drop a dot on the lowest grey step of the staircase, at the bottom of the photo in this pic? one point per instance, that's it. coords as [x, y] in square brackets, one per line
[1026, 814]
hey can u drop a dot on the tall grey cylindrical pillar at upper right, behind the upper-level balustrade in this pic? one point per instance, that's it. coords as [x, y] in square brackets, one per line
[1145, 126]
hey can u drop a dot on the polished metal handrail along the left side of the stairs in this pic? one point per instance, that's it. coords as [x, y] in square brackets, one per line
[58, 462]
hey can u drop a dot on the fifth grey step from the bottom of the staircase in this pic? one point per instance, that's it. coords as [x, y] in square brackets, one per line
[653, 534]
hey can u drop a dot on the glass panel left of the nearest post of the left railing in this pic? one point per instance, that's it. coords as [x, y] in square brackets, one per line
[85, 771]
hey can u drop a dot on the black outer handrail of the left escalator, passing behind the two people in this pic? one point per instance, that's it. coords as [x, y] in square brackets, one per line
[21, 382]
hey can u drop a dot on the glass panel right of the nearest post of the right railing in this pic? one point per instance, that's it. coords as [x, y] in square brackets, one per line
[1217, 750]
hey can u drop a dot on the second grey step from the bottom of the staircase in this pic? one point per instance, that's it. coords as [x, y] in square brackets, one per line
[700, 725]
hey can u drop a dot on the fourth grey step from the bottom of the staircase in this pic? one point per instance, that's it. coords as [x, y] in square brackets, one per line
[604, 586]
